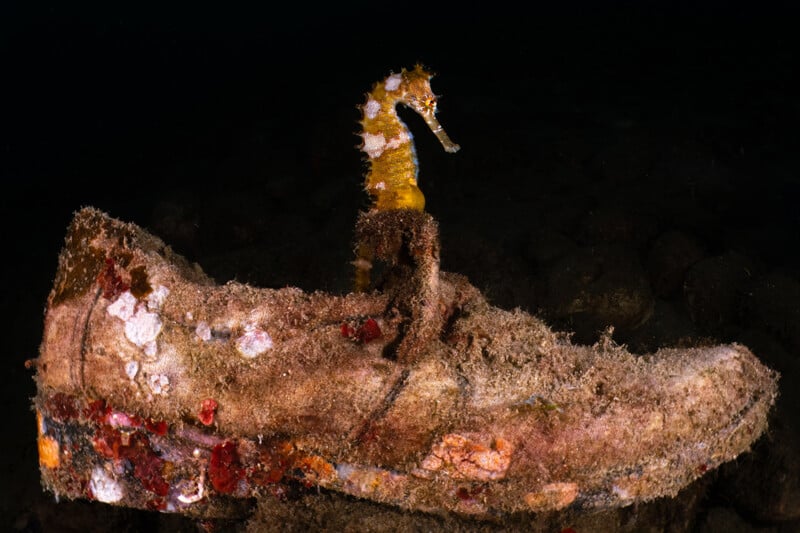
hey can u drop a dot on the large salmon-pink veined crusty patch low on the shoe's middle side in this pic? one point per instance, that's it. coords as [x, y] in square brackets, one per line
[462, 458]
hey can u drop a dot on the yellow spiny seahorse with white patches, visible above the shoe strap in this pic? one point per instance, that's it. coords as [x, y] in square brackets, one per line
[392, 176]
